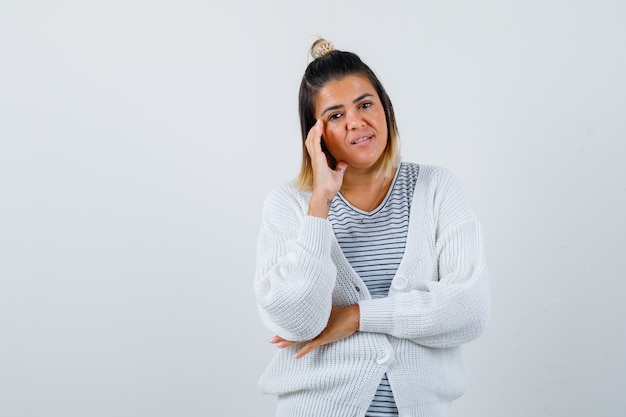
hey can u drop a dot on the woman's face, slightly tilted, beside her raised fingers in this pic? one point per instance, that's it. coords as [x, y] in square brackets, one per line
[355, 128]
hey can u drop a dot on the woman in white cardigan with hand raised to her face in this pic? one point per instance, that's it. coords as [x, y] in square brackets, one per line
[370, 272]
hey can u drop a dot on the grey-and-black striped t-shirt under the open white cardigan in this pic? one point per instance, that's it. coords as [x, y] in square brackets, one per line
[373, 243]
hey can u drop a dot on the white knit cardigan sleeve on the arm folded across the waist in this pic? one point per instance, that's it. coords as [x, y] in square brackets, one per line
[454, 308]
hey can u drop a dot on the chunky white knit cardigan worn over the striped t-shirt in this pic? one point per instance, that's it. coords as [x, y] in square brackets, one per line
[438, 300]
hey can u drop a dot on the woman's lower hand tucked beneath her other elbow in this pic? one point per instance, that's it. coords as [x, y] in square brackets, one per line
[343, 322]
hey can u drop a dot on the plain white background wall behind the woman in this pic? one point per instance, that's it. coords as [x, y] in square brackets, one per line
[138, 139]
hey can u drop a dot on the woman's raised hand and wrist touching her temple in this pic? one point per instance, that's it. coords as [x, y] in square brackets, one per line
[326, 181]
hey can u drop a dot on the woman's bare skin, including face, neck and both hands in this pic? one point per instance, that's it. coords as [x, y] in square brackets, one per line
[351, 119]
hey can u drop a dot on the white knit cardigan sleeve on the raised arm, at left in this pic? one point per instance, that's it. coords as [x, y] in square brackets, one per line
[295, 275]
